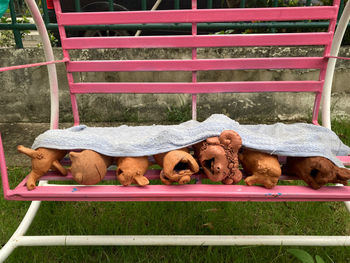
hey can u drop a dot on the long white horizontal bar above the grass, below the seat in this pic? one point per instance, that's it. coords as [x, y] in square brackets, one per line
[184, 240]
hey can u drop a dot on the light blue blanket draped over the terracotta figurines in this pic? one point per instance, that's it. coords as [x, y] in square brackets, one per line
[281, 139]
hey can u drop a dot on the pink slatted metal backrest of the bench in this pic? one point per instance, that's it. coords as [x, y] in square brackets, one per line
[195, 41]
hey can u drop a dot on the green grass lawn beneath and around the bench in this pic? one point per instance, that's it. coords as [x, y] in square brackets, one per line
[182, 218]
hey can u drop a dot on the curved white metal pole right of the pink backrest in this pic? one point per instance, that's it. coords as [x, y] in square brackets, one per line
[338, 36]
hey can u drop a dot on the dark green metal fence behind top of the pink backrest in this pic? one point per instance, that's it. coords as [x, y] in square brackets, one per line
[15, 19]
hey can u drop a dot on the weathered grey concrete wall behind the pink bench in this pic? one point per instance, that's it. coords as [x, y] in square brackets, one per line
[25, 108]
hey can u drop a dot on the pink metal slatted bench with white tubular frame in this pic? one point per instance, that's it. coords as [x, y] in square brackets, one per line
[193, 192]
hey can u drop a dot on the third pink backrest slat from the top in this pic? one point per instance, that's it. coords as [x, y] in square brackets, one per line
[195, 65]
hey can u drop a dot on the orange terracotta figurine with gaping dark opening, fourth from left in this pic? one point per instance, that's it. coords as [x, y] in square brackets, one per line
[178, 166]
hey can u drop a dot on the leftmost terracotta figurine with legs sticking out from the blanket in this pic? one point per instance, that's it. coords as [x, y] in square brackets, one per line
[43, 159]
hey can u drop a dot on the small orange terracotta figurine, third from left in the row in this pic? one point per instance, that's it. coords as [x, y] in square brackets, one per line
[131, 170]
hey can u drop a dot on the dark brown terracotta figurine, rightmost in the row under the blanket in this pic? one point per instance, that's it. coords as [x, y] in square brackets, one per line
[316, 171]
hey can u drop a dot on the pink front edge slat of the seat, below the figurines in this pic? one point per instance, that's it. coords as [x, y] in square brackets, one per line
[199, 192]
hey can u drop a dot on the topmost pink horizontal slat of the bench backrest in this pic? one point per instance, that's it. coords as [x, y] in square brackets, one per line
[200, 15]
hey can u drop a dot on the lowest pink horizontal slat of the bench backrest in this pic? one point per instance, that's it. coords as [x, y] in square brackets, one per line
[199, 87]
